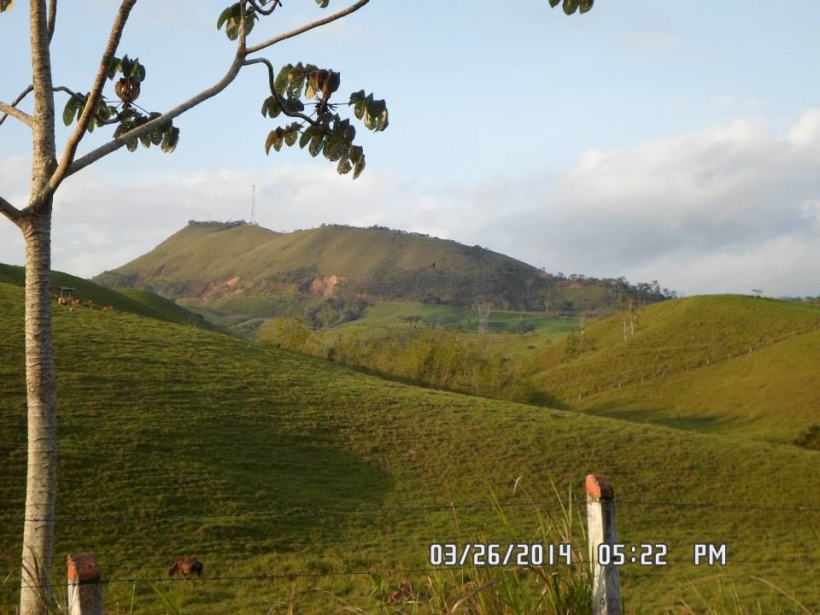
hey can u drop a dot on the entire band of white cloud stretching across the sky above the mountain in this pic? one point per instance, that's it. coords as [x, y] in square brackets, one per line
[723, 209]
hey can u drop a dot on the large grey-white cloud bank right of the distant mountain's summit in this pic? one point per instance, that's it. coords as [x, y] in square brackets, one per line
[717, 210]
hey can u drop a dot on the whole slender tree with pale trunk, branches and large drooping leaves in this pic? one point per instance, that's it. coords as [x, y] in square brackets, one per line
[300, 93]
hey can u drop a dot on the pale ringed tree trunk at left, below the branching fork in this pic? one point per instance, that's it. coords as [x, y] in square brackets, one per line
[41, 483]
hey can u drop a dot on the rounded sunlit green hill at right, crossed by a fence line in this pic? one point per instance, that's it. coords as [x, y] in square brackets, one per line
[722, 363]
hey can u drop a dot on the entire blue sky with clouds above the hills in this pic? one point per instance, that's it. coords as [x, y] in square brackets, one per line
[656, 140]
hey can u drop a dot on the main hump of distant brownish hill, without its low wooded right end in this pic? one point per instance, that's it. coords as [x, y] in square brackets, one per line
[210, 261]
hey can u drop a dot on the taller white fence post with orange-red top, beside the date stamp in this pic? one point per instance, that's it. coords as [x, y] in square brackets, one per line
[606, 584]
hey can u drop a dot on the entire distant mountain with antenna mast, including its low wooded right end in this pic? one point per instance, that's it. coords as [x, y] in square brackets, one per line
[231, 266]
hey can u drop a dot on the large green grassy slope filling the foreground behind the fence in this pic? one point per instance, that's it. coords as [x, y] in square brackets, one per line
[293, 478]
